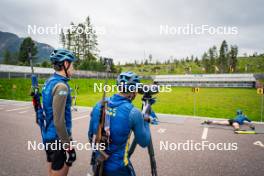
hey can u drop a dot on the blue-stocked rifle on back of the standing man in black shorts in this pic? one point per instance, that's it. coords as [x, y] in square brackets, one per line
[36, 96]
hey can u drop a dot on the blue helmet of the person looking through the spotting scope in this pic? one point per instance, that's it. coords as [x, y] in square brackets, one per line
[128, 80]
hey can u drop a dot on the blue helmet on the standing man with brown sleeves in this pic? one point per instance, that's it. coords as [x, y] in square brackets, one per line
[60, 55]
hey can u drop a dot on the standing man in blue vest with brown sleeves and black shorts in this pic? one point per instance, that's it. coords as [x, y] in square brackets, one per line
[57, 107]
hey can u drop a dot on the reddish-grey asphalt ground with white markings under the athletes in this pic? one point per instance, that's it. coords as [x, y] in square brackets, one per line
[171, 139]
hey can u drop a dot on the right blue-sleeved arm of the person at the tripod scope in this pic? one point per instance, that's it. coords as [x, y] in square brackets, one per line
[140, 127]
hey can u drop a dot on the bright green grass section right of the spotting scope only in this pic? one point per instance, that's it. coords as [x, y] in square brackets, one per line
[212, 102]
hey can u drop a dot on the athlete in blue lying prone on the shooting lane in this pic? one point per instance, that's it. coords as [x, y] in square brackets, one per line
[239, 120]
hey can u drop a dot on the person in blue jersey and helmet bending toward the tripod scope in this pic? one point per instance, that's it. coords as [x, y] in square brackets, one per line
[124, 119]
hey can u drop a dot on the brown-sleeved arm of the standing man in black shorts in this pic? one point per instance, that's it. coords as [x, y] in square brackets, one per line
[60, 93]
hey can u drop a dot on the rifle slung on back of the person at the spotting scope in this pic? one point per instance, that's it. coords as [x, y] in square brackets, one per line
[103, 130]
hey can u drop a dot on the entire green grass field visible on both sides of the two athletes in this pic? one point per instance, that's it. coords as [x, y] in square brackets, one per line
[210, 102]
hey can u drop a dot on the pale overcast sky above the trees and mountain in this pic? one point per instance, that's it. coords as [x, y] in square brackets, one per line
[131, 29]
